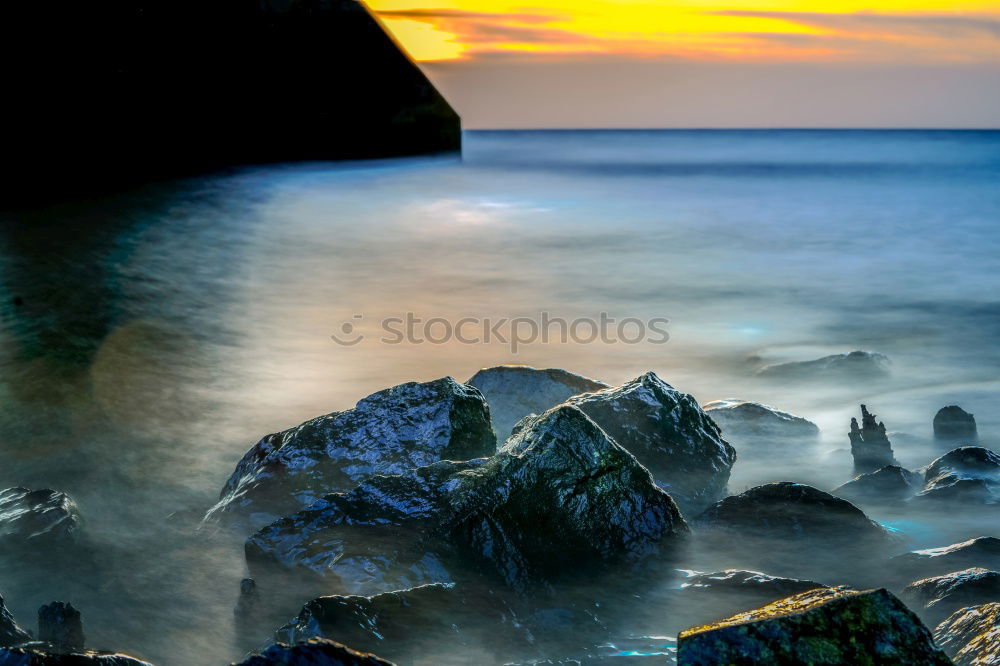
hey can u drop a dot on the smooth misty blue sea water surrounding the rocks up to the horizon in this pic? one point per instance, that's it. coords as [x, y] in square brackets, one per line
[157, 334]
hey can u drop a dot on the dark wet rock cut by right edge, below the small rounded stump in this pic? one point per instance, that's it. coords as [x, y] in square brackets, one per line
[967, 475]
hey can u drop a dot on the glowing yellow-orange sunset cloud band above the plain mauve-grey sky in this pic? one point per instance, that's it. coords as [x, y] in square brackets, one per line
[882, 31]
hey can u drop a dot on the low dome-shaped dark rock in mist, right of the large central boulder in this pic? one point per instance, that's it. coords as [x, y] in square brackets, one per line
[793, 512]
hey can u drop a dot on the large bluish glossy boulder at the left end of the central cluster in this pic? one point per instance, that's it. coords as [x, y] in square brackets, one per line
[389, 432]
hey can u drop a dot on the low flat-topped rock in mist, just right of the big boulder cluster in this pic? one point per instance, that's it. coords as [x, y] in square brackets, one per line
[745, 422]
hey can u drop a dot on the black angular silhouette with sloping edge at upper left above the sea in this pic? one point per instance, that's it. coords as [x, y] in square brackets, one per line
[103, 94]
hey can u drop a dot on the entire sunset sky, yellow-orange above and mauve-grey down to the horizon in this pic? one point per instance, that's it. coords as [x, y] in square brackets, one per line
[707, 63]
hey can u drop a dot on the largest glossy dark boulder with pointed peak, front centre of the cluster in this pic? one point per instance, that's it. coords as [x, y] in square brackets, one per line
[559, 480]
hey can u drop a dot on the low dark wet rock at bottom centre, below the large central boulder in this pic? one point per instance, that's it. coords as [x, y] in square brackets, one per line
[409, 626]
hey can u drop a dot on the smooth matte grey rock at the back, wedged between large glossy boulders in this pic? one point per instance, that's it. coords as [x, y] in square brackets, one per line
[515, 391]
